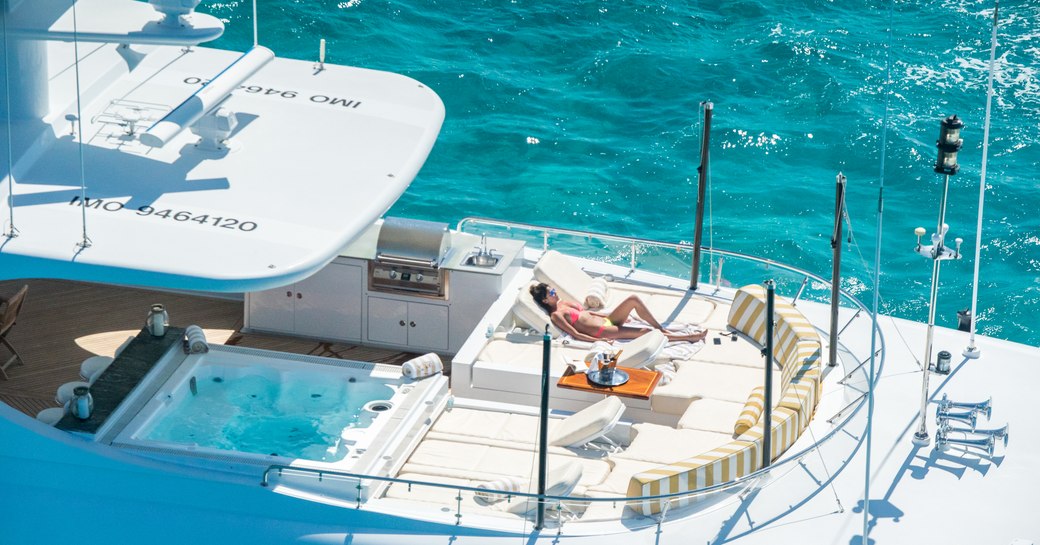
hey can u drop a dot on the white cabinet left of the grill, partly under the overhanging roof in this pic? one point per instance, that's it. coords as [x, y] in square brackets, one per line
[326, 305]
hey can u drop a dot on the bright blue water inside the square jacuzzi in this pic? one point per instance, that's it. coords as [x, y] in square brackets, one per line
[298, 416]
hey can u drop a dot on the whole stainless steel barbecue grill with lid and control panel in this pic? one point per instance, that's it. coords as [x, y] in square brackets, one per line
[408, 258]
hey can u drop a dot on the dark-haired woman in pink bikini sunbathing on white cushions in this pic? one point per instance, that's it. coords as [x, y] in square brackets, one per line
[588, 326]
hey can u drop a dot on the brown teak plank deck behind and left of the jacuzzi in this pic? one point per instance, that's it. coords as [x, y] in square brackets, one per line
[64, 323]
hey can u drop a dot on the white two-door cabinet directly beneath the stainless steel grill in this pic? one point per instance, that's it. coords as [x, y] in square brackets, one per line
[408, 324]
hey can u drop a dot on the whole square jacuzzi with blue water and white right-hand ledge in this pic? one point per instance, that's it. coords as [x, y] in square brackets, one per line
[243, 410]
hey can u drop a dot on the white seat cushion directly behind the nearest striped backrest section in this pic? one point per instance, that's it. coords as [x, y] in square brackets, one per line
[668, 446]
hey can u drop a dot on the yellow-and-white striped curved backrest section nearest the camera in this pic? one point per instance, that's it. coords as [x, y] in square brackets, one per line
[726, 463]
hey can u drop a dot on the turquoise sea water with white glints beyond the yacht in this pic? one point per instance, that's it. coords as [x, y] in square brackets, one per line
[586, 115]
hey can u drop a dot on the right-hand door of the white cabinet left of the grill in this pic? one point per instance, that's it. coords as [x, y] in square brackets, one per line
[329, 303]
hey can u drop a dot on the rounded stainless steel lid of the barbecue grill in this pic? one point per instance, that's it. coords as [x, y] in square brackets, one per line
[412, 240]
